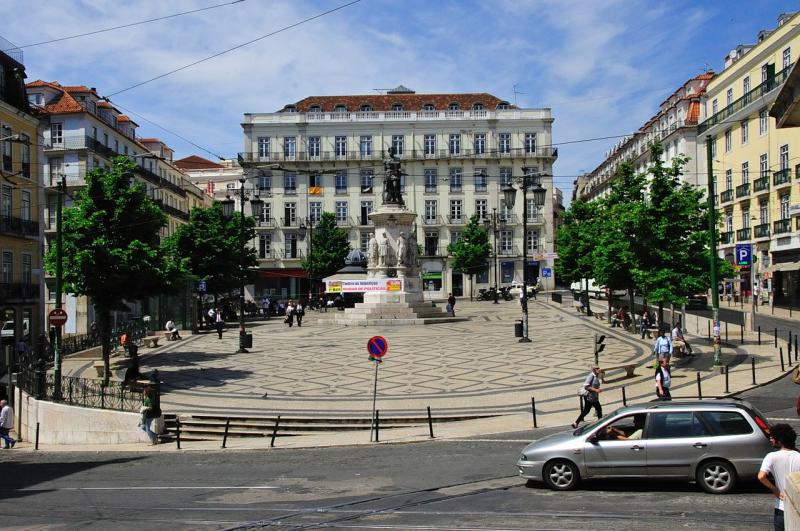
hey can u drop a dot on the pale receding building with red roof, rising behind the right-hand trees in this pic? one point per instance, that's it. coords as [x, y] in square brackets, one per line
[675, 126]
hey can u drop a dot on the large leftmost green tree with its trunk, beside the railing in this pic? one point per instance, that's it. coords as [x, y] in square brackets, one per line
[111, 245]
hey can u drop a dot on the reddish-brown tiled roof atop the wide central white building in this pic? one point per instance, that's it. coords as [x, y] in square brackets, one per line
[410, 102]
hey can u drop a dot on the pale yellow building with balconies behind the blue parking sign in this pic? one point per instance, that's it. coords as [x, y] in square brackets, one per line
[755, 164]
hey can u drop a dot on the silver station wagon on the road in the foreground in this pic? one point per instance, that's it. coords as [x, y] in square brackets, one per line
[712, 442]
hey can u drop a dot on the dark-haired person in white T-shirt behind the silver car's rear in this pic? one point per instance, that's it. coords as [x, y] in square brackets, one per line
[780, 464]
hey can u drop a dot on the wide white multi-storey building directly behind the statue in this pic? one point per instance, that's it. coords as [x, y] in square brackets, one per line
[325, 153]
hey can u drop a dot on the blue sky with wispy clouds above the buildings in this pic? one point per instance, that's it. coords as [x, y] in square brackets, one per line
[602, 66]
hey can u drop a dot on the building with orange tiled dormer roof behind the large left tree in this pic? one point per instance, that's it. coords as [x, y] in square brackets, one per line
[83, 131]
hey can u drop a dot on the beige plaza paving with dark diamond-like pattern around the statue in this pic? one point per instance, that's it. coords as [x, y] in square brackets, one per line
[458, 368]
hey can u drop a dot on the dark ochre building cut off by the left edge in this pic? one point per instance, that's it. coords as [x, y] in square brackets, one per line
[20, 199]
